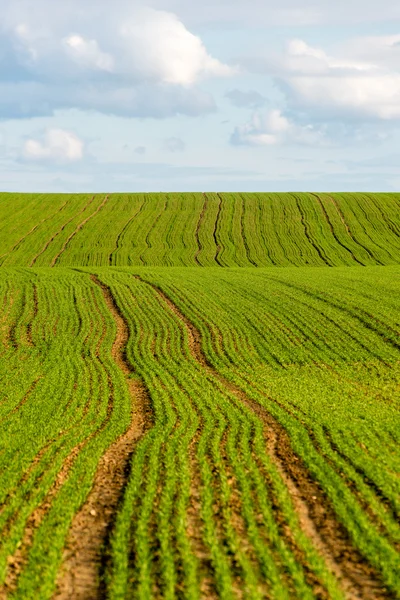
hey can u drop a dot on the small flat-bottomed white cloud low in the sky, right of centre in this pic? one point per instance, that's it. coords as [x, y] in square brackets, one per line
[272, 129]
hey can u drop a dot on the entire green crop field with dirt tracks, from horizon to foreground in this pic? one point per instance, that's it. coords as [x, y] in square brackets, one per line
[171, 429]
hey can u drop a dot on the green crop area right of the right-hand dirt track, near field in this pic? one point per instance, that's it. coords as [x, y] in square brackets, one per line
[312, 352]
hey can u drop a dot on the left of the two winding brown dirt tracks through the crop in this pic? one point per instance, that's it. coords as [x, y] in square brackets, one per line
[79, 577]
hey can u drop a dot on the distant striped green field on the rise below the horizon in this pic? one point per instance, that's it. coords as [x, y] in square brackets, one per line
[200, 230]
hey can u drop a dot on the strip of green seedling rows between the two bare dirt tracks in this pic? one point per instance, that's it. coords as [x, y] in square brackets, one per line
[197, 396]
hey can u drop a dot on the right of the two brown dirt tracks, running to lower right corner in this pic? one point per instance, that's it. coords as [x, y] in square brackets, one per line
[357, 578]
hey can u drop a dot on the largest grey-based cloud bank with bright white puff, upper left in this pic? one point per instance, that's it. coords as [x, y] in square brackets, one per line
[136, 61]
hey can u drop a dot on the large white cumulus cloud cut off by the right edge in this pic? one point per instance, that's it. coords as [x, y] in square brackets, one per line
[360, 84]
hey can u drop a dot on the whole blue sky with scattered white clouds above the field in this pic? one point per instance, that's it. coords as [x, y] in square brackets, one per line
[217, 95]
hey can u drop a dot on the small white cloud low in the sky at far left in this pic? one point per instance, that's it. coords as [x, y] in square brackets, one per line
[57, 145]
